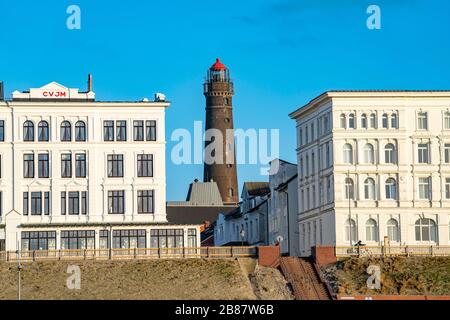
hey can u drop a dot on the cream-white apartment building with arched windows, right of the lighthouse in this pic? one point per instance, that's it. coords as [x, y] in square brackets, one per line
[374, 166]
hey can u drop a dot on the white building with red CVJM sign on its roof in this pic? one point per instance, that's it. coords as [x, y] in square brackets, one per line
[76, 173]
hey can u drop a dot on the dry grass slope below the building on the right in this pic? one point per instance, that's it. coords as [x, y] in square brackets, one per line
[399, 275]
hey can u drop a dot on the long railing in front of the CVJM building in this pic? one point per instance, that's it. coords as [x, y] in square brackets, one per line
[129, 254]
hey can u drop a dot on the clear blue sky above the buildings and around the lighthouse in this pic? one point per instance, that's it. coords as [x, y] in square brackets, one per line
[282, 53]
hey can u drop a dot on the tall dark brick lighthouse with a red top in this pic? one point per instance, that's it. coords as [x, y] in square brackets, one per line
[218, 90]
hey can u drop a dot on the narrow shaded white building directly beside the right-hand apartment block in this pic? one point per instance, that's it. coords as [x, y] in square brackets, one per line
[283, 207]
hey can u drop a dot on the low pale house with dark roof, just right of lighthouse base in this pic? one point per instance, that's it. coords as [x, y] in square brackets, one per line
[247, 224]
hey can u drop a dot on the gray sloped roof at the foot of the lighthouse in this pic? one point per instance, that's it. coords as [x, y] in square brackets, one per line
[204, 193]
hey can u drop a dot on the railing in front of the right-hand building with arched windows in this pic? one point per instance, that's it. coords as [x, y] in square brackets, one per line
[361, 251]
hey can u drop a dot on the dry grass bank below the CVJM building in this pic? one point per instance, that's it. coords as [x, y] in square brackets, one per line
[144, 279]
